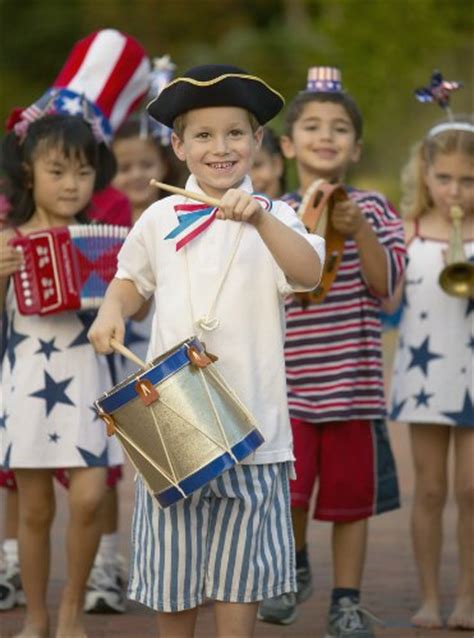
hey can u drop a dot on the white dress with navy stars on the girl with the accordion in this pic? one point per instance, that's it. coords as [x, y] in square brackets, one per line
[50, 378]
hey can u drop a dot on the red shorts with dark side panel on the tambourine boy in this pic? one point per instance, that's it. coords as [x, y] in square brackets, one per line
[353, 464]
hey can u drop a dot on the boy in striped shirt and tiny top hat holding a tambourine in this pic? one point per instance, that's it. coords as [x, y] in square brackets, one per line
[334, 360]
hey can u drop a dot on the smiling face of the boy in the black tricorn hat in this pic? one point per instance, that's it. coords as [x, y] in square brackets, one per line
[218, 146]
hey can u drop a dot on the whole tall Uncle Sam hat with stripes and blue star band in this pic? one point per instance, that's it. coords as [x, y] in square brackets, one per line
[104, 79]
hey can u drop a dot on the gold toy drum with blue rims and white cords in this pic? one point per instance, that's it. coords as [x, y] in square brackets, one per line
[179, 422]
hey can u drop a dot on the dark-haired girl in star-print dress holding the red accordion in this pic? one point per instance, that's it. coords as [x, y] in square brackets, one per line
[52, 168]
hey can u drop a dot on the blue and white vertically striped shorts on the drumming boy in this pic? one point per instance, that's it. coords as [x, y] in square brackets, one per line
[230, 541]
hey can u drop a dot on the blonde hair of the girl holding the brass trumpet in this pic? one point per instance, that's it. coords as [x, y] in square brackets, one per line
[416, 199]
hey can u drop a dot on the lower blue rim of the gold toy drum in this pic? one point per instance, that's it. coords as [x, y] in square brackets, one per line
[212, 470]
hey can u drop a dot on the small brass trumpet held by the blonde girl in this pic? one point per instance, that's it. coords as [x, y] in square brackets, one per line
[457, 277]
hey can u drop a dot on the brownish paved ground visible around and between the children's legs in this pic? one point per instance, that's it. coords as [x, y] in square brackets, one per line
[390, 586]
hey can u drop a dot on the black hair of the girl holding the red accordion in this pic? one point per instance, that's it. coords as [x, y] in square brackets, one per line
[75, 138]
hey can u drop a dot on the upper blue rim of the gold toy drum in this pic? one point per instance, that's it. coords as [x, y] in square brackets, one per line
[175, 361]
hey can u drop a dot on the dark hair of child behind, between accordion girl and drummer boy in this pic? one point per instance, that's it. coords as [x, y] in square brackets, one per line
[144, 127]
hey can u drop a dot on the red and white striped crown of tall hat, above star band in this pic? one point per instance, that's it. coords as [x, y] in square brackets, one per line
[111, 69]
